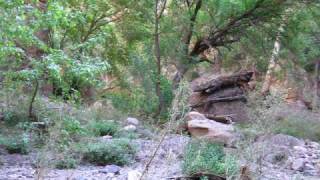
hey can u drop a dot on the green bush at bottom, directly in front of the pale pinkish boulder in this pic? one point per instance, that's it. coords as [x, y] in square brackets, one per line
[206, 157]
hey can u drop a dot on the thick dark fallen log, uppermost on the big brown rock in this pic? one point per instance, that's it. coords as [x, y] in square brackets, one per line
[222, 82]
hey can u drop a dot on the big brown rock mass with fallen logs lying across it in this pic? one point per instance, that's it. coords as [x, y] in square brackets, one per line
[221, 98]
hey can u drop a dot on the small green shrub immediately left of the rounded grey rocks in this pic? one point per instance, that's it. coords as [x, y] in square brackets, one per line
[102, 128]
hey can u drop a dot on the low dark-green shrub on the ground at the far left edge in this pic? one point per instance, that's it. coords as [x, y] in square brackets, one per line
[18, 145]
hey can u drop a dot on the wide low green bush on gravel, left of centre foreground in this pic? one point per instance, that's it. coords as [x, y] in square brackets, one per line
[116, 151]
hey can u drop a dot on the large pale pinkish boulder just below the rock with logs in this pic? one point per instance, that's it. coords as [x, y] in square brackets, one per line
[201, 127]
